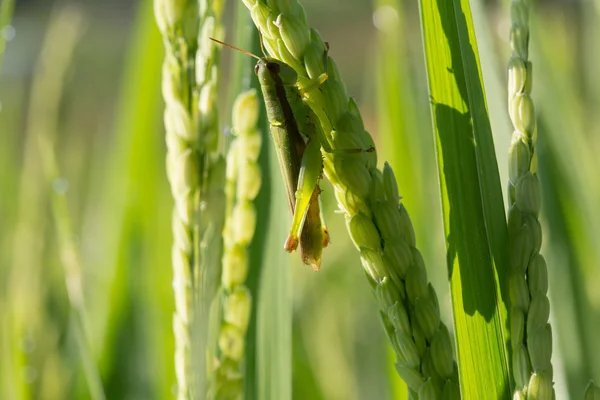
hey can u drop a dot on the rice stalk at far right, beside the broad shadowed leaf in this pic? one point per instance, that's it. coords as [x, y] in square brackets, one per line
[531, 334]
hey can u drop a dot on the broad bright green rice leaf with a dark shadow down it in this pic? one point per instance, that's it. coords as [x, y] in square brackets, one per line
[471, 192]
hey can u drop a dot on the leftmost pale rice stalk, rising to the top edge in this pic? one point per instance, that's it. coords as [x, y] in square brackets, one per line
[196, 173]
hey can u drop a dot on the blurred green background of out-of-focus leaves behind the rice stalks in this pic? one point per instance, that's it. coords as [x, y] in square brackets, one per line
[85, 278]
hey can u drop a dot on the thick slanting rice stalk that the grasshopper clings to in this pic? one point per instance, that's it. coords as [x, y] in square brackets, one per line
[377, 221]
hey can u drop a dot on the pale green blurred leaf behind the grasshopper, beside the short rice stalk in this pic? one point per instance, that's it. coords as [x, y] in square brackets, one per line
[268, 373]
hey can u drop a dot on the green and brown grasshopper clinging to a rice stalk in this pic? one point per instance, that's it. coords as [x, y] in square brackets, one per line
[298, 141]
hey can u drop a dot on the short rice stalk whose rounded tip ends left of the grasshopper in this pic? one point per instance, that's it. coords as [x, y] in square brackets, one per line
[243, 182]
